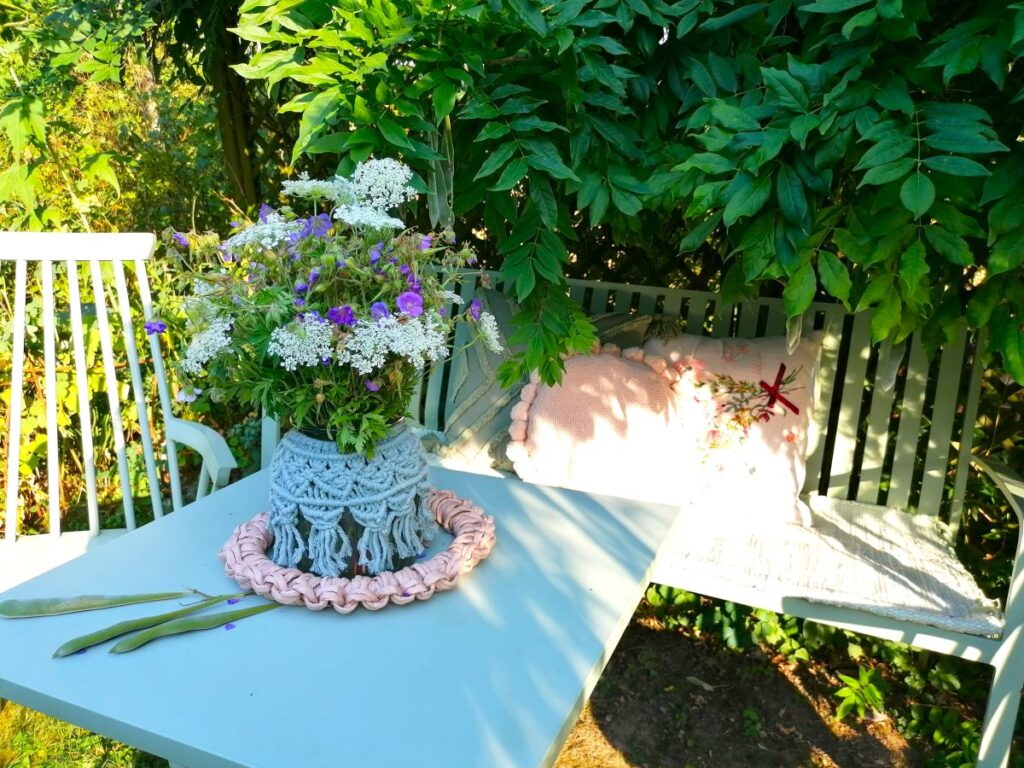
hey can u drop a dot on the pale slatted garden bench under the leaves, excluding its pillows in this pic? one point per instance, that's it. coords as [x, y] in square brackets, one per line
[891, 434]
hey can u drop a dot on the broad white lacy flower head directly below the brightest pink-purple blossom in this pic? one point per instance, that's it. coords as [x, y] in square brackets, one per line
[418, 340]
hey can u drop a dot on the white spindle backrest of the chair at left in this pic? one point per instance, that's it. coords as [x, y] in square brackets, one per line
[96, 333]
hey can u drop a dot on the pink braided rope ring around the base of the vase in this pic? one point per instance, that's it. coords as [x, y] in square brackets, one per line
[246, 563]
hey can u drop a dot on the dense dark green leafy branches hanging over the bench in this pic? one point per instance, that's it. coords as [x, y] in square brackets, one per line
[802, 145]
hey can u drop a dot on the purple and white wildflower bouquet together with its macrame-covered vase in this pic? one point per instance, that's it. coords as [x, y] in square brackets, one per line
[324, 316]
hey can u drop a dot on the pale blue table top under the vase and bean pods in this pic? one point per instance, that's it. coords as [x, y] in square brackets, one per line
[492, 674]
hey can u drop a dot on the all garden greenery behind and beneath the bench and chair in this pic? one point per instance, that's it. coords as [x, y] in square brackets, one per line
[863, 150]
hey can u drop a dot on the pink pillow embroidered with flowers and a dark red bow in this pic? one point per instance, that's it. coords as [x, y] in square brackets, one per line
[756, 400]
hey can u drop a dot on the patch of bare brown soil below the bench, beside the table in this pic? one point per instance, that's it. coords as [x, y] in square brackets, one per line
[668, 699]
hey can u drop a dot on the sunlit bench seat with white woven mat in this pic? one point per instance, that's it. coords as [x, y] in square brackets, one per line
[862, 557]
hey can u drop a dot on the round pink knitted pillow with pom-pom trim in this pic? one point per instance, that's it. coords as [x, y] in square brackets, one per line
[611, 428]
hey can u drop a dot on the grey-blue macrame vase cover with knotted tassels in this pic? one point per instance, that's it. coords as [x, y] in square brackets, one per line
[388, 496]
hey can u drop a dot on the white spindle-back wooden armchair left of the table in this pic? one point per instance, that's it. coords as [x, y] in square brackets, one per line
[112, 266]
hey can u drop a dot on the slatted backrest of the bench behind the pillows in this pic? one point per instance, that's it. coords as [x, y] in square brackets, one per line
[886, 419]
